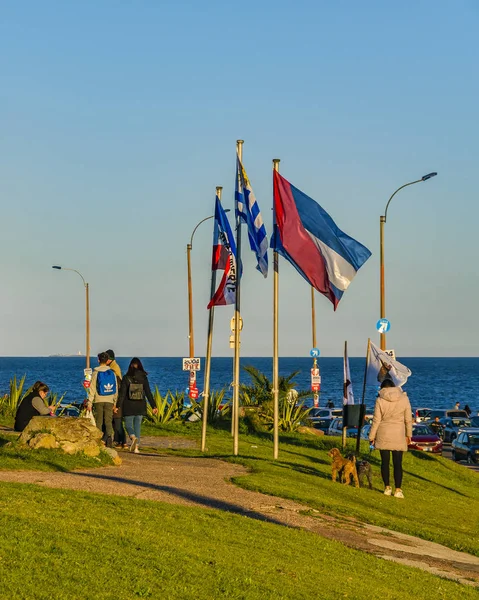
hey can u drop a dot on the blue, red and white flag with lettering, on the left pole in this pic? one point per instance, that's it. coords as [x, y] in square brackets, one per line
[224, 258]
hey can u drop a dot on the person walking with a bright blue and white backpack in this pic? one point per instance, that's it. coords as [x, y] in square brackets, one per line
[103, 393]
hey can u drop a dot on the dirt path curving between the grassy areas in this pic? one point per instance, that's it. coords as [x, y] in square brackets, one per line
[207, 483]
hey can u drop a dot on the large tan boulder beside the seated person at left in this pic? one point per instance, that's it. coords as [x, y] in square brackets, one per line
[71, 434]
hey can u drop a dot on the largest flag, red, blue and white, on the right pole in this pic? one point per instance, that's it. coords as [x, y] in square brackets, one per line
[310, 240]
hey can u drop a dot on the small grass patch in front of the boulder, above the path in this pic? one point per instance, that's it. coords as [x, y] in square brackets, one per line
[14, 457]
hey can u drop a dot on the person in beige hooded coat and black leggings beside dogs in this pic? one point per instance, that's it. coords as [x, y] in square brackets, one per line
[391, 432]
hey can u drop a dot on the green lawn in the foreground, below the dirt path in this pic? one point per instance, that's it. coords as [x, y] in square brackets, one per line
[66, 545]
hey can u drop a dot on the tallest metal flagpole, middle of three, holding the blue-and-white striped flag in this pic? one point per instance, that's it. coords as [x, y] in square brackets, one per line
[236, 368]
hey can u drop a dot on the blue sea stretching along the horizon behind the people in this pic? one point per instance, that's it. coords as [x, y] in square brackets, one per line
[435, 382]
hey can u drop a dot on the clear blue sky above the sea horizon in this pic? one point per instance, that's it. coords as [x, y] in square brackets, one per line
[118, 119]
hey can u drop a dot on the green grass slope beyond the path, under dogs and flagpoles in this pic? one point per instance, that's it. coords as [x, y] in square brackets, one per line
[442, 498]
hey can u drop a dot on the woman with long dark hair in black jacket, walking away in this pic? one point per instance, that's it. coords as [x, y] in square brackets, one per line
[134, 392]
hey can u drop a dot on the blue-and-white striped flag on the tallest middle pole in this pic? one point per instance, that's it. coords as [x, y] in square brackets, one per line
[247, 209]
